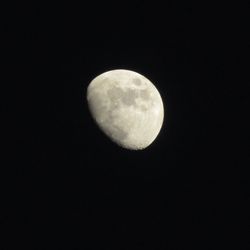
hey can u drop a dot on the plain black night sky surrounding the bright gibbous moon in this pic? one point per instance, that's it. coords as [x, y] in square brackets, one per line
[67, 185]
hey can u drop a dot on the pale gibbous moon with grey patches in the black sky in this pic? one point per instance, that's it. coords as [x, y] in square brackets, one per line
[127, 107]
